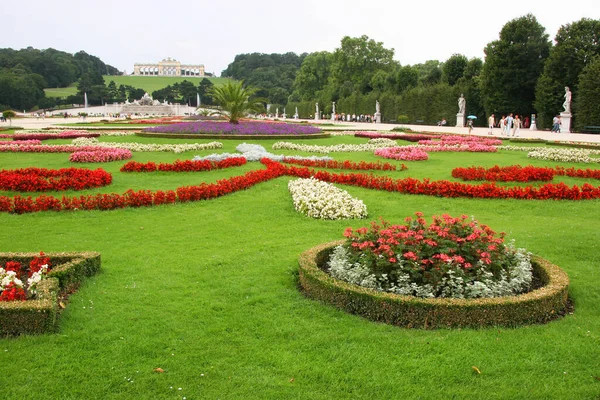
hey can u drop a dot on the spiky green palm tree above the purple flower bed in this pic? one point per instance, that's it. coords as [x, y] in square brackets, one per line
[234, 99]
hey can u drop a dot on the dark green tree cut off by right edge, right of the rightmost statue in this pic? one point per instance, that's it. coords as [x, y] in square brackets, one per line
[586, 103]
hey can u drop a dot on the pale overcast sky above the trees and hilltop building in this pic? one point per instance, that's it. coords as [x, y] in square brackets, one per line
[123, 32]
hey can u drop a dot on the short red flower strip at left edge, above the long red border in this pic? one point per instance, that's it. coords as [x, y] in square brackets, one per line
[43, 180]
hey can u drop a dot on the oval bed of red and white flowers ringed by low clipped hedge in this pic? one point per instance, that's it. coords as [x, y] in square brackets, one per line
[414, 276]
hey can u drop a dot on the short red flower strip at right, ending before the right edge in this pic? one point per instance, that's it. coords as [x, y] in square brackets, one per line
[513, 173]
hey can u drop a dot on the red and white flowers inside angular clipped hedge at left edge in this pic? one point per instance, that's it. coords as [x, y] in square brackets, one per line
[12, 276]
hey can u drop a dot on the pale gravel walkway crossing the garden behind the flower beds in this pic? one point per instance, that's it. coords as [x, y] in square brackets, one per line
[34, 123]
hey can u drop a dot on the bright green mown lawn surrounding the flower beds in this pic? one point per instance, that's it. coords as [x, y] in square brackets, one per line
[207, 291]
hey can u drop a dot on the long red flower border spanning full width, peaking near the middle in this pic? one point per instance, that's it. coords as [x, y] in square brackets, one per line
[442, 188]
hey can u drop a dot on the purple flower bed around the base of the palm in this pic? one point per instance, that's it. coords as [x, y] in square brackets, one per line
[243, 128]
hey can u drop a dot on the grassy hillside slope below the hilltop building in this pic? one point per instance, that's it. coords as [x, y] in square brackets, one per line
[148, 83]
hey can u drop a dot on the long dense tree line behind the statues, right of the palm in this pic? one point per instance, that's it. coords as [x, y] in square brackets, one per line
[523, 73]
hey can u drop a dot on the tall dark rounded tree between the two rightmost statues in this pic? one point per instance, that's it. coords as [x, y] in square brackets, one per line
[513, 66]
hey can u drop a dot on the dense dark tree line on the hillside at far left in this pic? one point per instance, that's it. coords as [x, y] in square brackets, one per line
[25, 73]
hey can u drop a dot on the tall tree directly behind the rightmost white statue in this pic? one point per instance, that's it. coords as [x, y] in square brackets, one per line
[576, 46]
